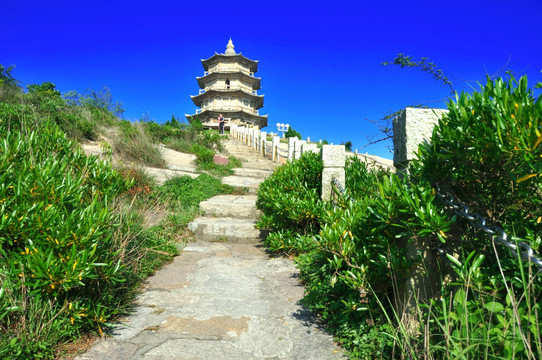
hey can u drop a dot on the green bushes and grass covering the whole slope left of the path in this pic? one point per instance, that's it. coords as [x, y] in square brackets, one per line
[76, 235]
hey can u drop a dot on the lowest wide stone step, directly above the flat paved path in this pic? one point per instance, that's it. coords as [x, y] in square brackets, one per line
[226, 230]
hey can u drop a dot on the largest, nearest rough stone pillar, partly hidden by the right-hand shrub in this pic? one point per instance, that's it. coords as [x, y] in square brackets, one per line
[410, 128]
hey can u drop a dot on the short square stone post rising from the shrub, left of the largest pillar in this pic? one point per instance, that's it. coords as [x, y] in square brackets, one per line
[333, 158]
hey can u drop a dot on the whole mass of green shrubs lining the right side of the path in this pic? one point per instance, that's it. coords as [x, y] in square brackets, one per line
[486, 151]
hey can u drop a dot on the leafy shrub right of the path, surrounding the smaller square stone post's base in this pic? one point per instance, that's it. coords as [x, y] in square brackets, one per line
[350, 256]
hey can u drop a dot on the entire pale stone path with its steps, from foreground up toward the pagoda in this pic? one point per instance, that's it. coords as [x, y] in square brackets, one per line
[223, 297]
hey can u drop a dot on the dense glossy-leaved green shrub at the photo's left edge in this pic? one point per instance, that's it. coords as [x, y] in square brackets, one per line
[55, 237]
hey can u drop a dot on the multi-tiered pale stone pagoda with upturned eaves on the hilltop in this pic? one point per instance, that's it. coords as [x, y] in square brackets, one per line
[228, 87]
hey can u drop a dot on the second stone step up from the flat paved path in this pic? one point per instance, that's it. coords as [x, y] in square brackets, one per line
[236, 206]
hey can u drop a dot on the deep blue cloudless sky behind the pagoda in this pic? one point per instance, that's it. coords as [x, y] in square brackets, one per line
[320, 61]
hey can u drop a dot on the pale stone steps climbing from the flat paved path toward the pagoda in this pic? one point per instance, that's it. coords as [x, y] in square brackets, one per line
[232, 218]
